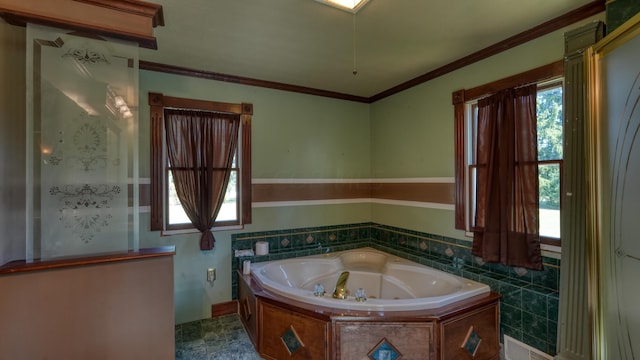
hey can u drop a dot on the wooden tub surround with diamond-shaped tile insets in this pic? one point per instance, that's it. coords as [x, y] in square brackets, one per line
[282, 328]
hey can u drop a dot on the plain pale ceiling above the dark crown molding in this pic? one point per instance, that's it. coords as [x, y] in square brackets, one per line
[306, 43]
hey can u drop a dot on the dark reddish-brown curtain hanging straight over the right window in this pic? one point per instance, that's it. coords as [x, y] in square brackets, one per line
[507, 194]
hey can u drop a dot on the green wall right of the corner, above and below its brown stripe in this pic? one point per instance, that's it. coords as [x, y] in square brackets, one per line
[412, 132]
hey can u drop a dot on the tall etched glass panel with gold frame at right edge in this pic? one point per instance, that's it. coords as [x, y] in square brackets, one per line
[618, 163]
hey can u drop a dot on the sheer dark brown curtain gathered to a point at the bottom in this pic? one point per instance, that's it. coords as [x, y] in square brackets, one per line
[200, 148]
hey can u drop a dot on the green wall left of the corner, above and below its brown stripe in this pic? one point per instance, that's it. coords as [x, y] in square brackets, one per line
[293, 136]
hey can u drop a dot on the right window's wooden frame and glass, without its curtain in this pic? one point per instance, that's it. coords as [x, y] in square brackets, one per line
[549, 127]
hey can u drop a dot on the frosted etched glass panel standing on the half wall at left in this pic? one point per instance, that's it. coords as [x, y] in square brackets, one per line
[81, 145]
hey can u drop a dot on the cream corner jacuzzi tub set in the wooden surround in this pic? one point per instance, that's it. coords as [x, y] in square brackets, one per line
[391, 283]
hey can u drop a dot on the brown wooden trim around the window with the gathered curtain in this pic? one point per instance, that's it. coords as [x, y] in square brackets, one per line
[157, 103]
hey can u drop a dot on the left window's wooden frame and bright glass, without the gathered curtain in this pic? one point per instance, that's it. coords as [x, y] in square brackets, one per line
[166, 211]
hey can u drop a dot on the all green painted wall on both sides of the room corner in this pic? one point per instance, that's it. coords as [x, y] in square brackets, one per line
[301, 136]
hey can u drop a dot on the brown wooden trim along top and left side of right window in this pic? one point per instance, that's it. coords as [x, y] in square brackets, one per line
[460, 97]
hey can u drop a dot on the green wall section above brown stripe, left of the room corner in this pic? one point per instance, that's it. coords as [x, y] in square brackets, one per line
[293, 135]
